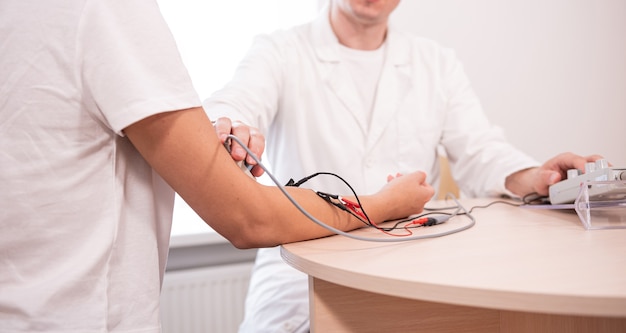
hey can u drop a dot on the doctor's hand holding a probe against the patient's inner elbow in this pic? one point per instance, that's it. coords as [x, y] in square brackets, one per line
[249, 135]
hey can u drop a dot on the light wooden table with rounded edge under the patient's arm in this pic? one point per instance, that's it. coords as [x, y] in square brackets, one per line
[516, 270]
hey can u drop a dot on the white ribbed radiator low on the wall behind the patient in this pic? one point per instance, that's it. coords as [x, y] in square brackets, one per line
[204, 300]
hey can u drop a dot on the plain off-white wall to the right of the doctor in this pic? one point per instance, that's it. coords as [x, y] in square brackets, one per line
[552, 73]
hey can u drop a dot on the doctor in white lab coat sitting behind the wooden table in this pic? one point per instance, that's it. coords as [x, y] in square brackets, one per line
[349, 94]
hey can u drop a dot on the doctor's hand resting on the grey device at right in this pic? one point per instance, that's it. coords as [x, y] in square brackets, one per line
[538, 180]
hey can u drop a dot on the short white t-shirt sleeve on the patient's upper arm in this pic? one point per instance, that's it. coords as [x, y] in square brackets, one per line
[130, 63]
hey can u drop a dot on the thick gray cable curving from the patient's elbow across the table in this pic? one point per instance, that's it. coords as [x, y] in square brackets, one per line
[349, 235]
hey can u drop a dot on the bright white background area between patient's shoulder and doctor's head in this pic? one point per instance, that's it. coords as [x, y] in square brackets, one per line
[213, 36]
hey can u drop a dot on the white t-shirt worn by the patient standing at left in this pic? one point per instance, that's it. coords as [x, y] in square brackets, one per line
[84, 220]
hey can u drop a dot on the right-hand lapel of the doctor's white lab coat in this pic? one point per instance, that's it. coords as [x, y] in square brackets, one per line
[393, 86]
